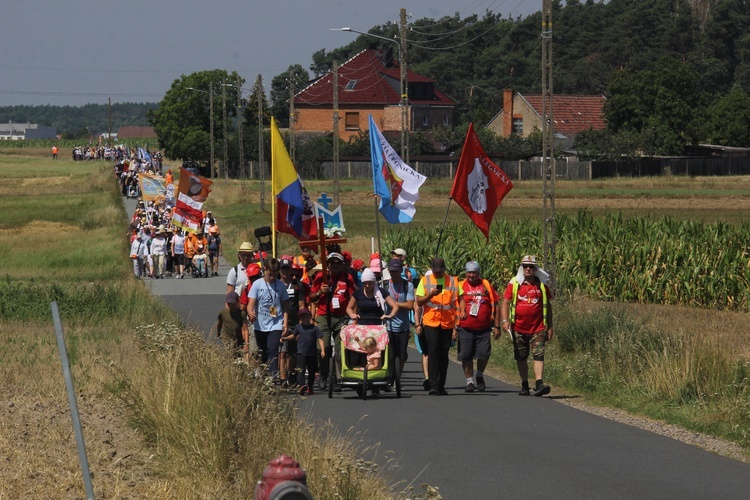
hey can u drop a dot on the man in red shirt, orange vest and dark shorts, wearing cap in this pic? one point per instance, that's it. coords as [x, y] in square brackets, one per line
[477, 301]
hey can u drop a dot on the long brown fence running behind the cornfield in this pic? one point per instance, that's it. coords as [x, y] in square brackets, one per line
[567, 168]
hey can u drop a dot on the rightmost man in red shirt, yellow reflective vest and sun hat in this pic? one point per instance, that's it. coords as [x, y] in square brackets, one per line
[527, 315]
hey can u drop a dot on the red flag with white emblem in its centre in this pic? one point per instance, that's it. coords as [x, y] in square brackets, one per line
[479, 186]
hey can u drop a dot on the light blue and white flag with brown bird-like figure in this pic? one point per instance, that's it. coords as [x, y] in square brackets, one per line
[394, 181]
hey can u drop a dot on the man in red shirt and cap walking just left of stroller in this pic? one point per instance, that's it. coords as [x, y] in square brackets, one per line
[332, 293]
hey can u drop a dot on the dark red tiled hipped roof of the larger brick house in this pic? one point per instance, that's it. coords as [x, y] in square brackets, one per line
[371, 80]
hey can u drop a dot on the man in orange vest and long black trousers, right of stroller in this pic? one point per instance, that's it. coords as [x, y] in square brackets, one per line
[437, 294]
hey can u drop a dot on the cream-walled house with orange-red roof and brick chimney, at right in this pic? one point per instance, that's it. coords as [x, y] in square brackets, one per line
[522, 114]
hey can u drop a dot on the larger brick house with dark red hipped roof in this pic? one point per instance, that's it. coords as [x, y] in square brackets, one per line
[370, 83]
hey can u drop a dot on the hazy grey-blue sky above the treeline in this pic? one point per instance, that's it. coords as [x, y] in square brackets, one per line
[74, 52]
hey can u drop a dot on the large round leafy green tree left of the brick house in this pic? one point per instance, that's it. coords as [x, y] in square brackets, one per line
[183, 122]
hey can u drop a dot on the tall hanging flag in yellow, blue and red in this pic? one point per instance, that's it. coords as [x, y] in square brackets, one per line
[294, 210]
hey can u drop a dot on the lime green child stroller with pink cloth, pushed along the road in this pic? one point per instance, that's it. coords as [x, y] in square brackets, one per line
[363, 380]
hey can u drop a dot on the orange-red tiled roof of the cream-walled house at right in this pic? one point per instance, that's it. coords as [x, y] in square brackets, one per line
[572, 113]
